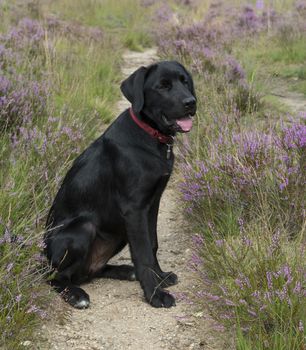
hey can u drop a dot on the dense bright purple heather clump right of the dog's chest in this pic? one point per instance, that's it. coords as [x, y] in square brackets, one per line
[238, 166]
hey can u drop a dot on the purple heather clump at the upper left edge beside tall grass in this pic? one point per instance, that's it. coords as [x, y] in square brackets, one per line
[21, 97]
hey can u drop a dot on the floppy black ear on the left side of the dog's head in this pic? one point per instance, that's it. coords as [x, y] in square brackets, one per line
[132, 88]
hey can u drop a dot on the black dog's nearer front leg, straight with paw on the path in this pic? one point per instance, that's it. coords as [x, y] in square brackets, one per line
[143, 258]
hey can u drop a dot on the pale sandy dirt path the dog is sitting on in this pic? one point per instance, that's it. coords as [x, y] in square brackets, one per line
[118, 317]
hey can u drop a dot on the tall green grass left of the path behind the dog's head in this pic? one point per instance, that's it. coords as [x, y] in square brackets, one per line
[86, 78]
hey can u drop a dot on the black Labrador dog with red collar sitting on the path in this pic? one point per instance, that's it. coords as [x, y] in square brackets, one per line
[110, 196]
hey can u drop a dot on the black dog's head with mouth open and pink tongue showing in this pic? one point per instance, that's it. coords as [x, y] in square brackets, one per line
[163, 93]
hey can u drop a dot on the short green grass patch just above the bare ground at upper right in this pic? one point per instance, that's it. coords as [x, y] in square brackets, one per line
[275, 57]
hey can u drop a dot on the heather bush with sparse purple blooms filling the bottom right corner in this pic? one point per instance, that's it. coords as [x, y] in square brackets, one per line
[255, 281]
